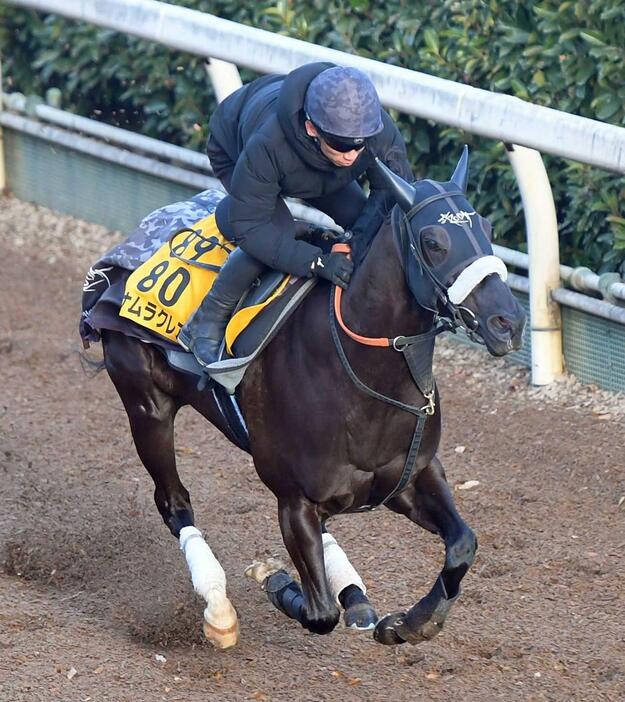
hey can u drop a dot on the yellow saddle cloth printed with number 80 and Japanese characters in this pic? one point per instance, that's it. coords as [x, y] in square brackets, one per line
[165, 291]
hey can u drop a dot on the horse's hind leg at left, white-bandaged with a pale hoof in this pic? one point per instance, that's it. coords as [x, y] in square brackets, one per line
[151, 413]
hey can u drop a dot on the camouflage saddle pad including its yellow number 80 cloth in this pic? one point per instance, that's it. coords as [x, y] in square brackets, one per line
[149, 285]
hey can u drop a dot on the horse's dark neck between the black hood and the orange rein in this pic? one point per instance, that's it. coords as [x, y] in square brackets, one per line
[378, 301]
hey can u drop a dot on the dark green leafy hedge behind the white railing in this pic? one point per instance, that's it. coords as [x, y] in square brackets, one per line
[566, 55]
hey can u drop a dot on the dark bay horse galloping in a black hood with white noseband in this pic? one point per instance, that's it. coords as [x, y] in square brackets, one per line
[321, 443]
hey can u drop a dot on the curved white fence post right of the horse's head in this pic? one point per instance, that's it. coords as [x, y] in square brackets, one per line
[544, 262]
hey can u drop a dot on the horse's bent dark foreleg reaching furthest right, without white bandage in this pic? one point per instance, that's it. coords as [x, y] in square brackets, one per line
[430, 504]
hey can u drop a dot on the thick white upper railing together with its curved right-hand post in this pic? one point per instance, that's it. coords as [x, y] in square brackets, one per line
[493, 115]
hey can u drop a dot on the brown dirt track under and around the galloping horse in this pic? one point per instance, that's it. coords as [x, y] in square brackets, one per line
[92, 581]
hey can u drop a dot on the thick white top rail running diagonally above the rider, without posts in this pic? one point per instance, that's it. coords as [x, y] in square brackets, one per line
[493, 115]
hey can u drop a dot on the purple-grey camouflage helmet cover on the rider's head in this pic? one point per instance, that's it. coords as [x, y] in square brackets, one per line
[343, 101]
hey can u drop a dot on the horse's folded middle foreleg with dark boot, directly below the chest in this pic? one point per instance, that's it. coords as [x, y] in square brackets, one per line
[314, 608]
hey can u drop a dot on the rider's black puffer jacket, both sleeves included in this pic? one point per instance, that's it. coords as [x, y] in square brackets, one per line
[261, 128]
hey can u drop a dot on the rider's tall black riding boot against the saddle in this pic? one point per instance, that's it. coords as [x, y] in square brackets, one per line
[204, 332]
